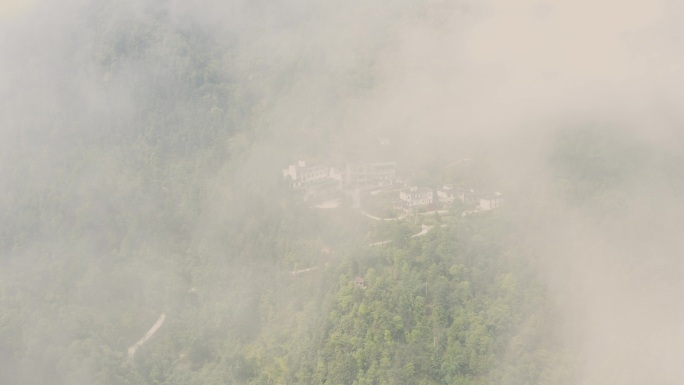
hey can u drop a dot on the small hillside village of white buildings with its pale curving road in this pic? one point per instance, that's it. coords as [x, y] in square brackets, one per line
[378, 190]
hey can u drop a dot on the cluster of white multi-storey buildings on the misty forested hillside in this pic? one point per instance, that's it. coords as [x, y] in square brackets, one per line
[319, 181]
